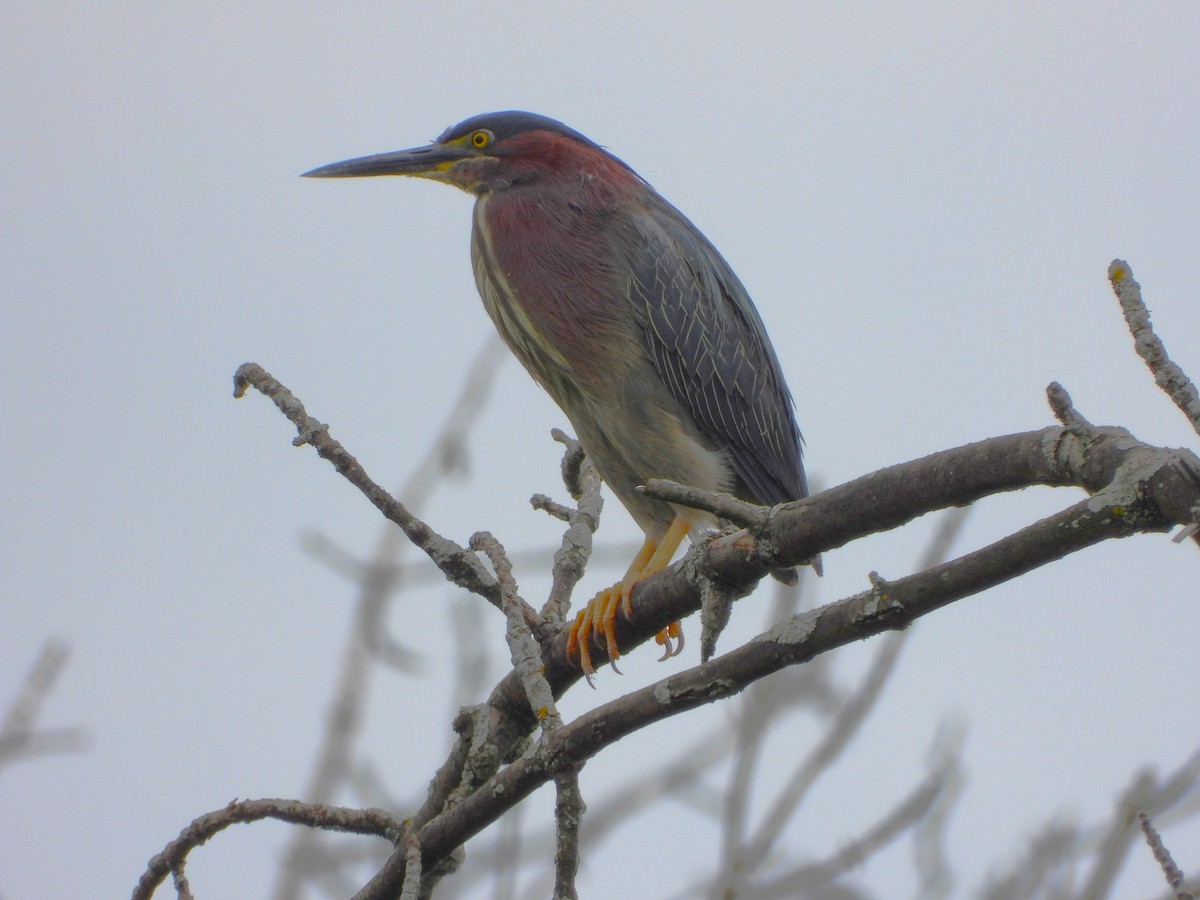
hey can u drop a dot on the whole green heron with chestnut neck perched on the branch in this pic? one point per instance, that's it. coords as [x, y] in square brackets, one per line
[629, 319]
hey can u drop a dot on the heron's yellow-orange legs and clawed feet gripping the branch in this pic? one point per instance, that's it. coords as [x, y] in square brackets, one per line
[599, 617]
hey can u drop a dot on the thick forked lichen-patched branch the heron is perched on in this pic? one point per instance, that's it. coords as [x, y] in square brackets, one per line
[1138, 488]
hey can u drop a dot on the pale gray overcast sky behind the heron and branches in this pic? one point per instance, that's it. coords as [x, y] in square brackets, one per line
[923, 205]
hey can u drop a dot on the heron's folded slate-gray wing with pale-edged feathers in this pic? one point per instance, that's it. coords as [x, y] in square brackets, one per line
[712, 351]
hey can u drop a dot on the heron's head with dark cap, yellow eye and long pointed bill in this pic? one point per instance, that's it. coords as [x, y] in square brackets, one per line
[489, 153]
